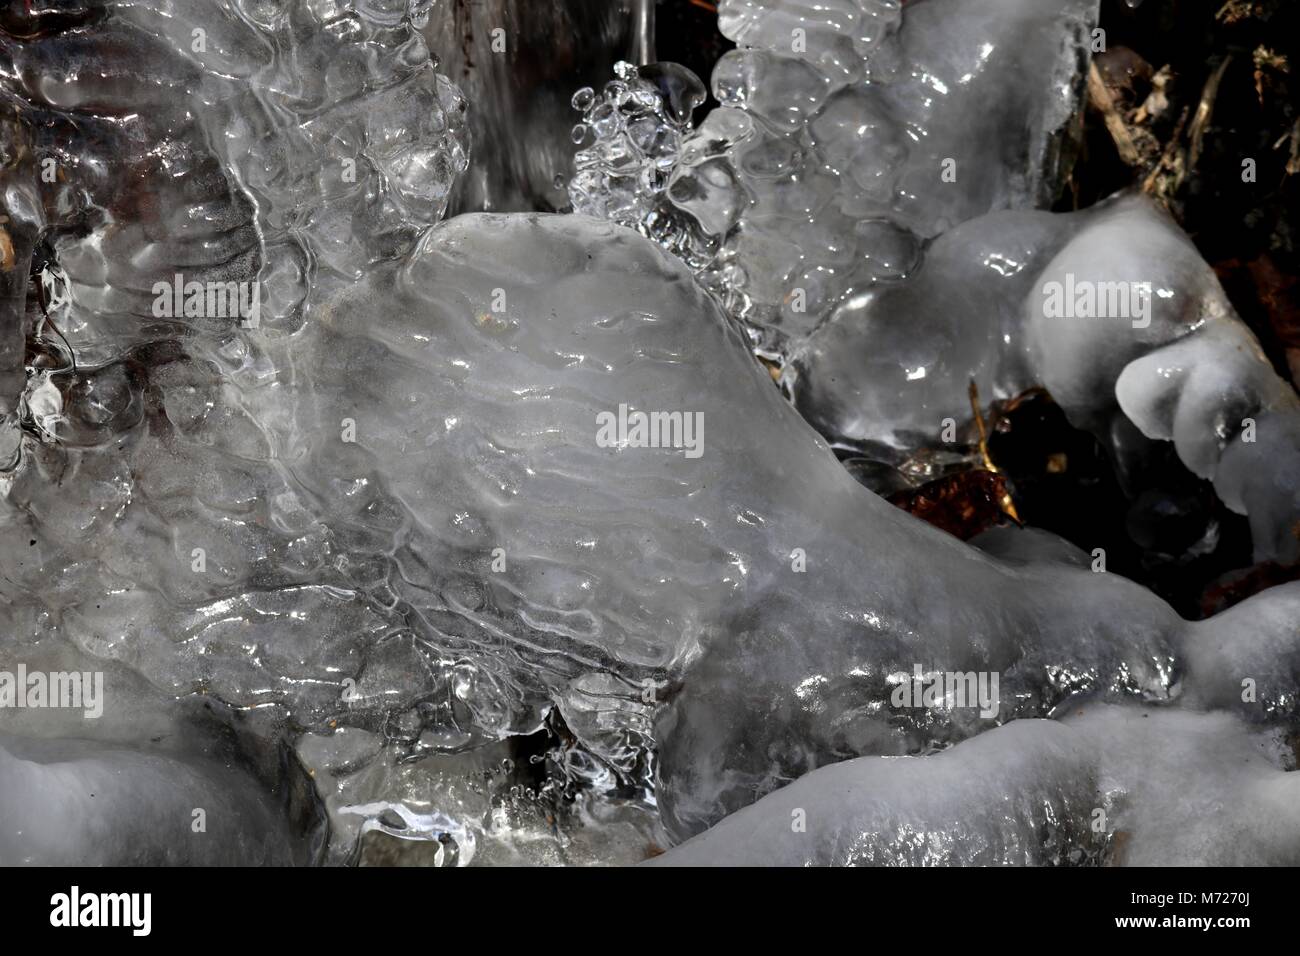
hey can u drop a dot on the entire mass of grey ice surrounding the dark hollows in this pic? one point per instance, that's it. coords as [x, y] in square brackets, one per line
[380, 538]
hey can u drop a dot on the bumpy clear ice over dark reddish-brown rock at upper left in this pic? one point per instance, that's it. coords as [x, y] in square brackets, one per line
[232, 142]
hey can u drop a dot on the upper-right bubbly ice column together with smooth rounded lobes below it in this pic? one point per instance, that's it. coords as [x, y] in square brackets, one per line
[846, 205]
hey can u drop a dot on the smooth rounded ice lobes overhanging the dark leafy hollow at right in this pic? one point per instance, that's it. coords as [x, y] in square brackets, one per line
[892, 365]
